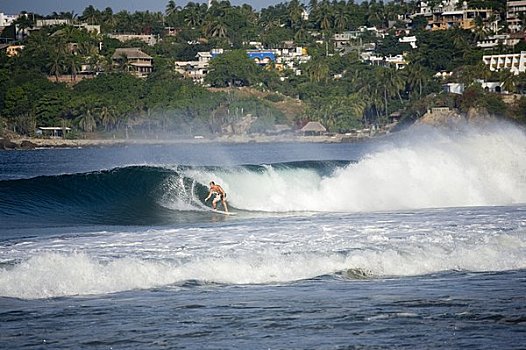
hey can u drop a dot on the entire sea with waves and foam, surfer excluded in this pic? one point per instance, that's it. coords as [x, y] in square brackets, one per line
[417, 240]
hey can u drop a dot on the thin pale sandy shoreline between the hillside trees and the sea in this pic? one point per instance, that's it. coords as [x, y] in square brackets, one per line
[32, 143]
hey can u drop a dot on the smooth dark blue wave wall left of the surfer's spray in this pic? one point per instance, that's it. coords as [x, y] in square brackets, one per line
[119, 196]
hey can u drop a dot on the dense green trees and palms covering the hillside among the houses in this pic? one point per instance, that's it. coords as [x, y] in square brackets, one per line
[337, 88]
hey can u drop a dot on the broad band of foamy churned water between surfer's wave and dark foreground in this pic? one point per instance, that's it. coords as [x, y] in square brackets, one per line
[268, 251]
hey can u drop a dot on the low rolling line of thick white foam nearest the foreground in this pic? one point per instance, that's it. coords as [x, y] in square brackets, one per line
[53, 274]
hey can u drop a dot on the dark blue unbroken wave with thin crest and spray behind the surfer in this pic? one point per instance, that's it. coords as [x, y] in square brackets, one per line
[134, 195]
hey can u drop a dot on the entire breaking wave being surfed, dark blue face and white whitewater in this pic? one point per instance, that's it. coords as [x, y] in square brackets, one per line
[425, 169]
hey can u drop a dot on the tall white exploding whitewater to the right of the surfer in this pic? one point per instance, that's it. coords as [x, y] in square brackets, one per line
[425, 169]
